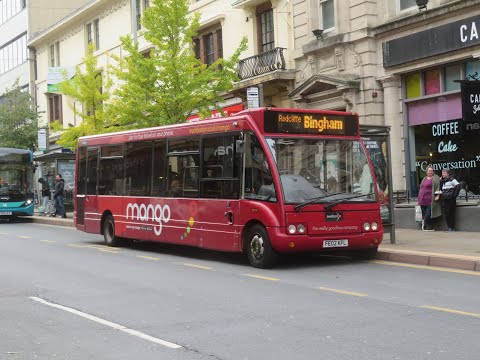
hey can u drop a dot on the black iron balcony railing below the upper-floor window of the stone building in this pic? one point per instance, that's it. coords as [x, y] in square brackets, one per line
[263, 63]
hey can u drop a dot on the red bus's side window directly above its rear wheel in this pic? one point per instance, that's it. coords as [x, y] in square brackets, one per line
[110, 170]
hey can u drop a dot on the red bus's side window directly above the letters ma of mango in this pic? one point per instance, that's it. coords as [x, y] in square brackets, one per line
[138, 169]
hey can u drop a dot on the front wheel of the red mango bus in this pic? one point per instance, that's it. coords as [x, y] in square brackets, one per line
[259, 251]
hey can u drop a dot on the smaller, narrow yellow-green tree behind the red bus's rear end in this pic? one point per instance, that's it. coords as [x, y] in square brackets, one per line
[90, 90]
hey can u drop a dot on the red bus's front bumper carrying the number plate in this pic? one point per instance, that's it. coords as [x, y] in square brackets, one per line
[284, 243]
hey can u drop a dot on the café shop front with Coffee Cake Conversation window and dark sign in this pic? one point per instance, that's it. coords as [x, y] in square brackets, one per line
[436, 131]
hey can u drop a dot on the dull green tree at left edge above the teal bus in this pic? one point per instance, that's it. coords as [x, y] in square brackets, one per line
[18, 119]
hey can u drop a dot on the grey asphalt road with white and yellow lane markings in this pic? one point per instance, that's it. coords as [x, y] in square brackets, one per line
[64, 295]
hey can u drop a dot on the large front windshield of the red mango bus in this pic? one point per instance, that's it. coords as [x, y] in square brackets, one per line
[325, 170]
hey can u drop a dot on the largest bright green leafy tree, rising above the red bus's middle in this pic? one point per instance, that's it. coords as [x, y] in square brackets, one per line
[170, 83]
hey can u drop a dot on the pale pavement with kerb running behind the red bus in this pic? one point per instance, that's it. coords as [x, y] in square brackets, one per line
[457, 250]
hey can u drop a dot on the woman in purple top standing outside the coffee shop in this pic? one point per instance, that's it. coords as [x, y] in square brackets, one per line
[428, 201]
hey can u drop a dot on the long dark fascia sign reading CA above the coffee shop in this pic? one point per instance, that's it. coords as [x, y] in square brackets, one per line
[439, 40]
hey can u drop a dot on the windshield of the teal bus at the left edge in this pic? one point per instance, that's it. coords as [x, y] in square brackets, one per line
[15, 179]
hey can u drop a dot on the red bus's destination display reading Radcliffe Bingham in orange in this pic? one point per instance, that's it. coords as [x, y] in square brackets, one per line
[310, 123]
